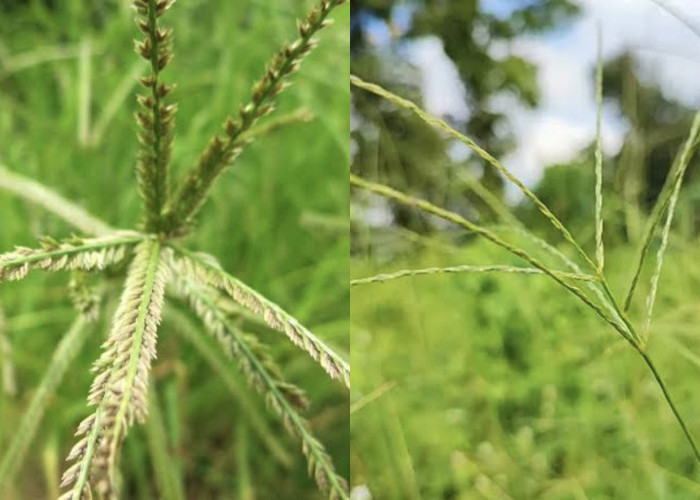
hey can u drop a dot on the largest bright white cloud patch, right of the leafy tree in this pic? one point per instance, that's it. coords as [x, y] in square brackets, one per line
[565, 122]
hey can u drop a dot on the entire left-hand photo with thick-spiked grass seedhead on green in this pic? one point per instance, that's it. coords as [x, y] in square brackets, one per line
[174, 249]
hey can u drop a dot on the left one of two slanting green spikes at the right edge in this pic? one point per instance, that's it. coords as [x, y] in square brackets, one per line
[675, 176]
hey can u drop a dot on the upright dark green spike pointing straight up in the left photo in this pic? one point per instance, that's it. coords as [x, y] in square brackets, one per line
[156, 120]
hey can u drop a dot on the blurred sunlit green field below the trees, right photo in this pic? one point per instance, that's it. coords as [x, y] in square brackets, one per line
[499, 386]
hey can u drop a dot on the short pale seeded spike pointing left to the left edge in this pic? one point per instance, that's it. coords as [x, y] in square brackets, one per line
[74, 253]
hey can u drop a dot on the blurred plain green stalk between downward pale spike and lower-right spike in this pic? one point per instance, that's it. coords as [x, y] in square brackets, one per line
[215, 358]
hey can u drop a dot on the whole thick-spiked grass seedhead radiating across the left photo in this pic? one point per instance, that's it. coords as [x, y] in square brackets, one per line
[158, 268]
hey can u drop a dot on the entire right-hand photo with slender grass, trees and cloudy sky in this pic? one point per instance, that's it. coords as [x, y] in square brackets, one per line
[525, 213]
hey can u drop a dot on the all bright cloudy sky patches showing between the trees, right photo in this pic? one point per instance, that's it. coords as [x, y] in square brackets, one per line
[669, 52]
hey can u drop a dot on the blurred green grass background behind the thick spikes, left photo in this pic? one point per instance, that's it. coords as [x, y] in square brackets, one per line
[278, 221]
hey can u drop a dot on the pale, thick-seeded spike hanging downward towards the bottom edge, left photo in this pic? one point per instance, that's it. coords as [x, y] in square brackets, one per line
[120, 388]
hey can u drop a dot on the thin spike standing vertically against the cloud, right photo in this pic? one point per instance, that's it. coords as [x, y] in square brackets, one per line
[600, 251]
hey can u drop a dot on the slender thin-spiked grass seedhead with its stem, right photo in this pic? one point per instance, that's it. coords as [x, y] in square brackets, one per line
[607, 307]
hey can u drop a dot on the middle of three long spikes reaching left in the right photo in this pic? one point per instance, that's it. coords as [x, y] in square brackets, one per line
[457, 219]
